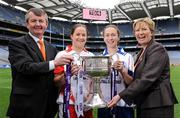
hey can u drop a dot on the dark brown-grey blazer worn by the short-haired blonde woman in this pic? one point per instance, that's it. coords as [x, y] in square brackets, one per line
[151, 86]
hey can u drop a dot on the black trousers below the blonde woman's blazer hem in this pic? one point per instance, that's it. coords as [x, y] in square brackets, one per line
[160, 112]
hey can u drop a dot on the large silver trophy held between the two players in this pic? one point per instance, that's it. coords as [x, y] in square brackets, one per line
[96, 67]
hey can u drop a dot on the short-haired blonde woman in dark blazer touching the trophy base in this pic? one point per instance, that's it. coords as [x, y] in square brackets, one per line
[151, 89]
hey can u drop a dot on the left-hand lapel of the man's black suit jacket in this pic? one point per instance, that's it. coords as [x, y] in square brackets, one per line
[33, 45]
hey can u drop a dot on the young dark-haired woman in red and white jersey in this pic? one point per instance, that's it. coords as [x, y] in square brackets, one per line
[78, 36]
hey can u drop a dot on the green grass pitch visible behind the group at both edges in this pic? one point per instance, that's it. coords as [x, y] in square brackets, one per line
[5, 85]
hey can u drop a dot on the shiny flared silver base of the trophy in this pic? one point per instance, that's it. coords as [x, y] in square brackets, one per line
[96, 102]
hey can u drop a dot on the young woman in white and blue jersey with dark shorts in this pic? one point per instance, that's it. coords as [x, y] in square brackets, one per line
[123, 64]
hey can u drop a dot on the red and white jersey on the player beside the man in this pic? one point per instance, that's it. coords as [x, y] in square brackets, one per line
[86, 81]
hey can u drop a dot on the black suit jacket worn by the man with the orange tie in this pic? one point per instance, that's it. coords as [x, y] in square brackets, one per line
[33, 90]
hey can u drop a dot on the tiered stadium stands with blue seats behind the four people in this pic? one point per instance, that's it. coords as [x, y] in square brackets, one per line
[12, 25]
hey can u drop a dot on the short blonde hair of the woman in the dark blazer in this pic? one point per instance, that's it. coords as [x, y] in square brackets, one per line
[148, 21]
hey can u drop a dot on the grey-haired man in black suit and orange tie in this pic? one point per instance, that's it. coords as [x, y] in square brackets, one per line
[33, 93]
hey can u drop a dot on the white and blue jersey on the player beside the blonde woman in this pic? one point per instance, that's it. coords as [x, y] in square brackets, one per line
[105, 85]
